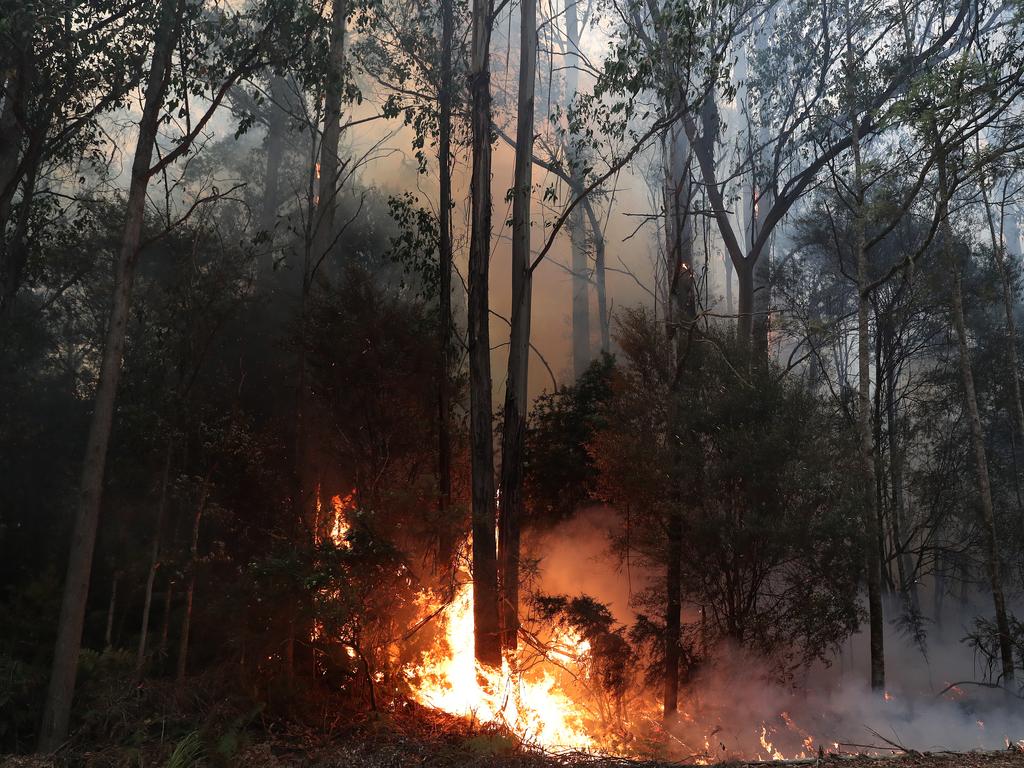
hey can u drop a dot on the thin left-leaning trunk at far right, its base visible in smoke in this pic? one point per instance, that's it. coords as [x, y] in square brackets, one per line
[977, 436]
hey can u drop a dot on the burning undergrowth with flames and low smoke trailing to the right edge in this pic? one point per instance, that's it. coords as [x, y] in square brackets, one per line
[579, 681]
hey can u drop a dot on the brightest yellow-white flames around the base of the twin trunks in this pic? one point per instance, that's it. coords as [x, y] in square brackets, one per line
[535, 708]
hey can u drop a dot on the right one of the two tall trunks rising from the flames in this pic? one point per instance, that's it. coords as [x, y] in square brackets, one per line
[515, 434]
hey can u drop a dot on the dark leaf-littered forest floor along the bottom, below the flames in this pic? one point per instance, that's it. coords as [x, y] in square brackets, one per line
[147, 728]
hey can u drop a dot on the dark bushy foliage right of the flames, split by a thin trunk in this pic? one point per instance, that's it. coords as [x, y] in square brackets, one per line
[771, 542]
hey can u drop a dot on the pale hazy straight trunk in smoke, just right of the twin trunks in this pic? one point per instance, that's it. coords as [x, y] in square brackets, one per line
[578, 234]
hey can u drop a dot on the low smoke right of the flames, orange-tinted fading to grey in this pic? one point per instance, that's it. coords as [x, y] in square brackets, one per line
[734, 708]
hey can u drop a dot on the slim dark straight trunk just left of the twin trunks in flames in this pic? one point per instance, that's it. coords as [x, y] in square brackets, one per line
[447, 544]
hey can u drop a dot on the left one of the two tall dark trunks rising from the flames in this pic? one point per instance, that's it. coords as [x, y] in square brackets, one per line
[486, 622]
